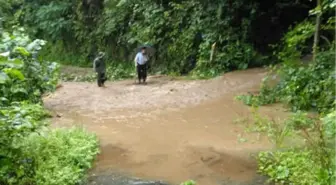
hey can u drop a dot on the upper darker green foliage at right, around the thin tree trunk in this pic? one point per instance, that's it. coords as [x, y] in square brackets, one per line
[302, 86]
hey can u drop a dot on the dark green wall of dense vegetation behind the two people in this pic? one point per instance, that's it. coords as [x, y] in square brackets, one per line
[183, 32]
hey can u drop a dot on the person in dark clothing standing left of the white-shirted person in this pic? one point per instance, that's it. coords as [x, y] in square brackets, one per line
[100, 68]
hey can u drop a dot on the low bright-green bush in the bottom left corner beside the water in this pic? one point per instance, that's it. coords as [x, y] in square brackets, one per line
[31, 155]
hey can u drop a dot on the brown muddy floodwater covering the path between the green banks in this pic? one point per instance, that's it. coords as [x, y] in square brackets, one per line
[168, 131]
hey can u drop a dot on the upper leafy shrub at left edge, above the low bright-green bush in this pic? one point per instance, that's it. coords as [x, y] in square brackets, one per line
[23, 77]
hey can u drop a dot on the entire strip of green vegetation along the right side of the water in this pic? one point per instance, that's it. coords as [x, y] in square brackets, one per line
[305, 152]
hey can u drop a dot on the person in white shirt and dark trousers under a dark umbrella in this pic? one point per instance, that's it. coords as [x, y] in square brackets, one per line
[141, 64]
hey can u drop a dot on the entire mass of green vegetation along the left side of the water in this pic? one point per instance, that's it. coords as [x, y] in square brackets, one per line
[26, 144]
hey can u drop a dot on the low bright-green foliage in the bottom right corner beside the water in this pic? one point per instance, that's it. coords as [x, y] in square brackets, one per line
[311, 163]
